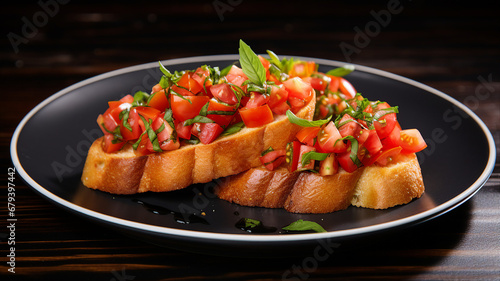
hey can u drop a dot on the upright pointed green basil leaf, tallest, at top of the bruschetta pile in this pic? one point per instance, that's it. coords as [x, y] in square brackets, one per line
[251, 65]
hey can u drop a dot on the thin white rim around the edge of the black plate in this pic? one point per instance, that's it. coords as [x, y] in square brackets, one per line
[244, 237]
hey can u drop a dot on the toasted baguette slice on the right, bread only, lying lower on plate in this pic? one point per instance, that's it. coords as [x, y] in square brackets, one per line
[373, 187]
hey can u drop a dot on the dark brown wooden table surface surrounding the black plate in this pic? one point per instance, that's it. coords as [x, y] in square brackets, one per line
[447, 46]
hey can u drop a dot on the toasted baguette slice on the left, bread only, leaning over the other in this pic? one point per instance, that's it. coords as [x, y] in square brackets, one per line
[123, 172]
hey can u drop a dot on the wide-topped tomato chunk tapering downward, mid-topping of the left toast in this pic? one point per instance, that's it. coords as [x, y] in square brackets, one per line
[187, 107]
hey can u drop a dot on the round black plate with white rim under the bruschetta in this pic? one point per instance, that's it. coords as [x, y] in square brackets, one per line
[50, 144]
